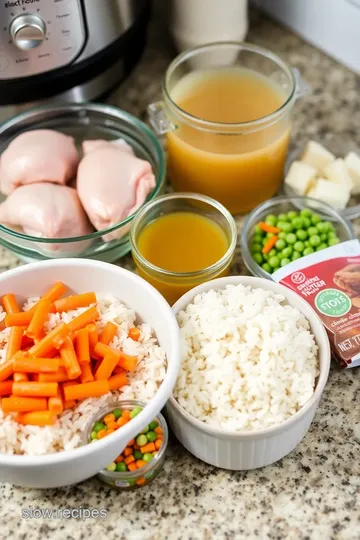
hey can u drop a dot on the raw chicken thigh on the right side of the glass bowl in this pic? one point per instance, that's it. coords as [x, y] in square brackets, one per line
[112, 184]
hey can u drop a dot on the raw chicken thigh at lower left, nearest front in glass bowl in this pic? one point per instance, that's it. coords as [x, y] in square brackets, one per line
[46, 211]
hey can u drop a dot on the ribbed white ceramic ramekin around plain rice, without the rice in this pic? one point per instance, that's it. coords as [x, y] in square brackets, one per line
[250, 450]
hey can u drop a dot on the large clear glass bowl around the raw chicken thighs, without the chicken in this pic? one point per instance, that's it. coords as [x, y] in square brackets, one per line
[83, 122]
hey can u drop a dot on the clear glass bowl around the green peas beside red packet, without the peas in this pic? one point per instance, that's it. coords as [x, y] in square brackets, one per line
[279, 205]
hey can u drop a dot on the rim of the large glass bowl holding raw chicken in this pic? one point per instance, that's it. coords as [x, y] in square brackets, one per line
[95, 107]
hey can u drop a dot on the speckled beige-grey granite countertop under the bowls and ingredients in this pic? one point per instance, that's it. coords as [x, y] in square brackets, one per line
[312, 493]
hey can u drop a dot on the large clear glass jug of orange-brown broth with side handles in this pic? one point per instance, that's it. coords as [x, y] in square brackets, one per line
[238, 164]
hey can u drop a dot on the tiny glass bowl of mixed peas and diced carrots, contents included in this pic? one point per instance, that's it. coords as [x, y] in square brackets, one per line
[143, 458]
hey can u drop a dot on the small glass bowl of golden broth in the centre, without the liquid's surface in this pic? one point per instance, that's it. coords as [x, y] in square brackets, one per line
[173, 285]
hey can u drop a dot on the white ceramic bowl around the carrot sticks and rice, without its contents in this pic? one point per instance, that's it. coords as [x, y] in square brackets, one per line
[65, 468]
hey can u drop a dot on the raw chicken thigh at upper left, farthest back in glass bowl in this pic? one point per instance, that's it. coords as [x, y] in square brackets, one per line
[41, 155]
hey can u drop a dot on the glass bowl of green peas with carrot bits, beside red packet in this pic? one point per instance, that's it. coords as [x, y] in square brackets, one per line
[284, 229]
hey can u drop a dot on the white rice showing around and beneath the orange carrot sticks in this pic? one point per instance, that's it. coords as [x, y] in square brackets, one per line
[68, 431]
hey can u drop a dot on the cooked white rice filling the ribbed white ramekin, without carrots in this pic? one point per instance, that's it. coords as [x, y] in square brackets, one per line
[249, 360]
